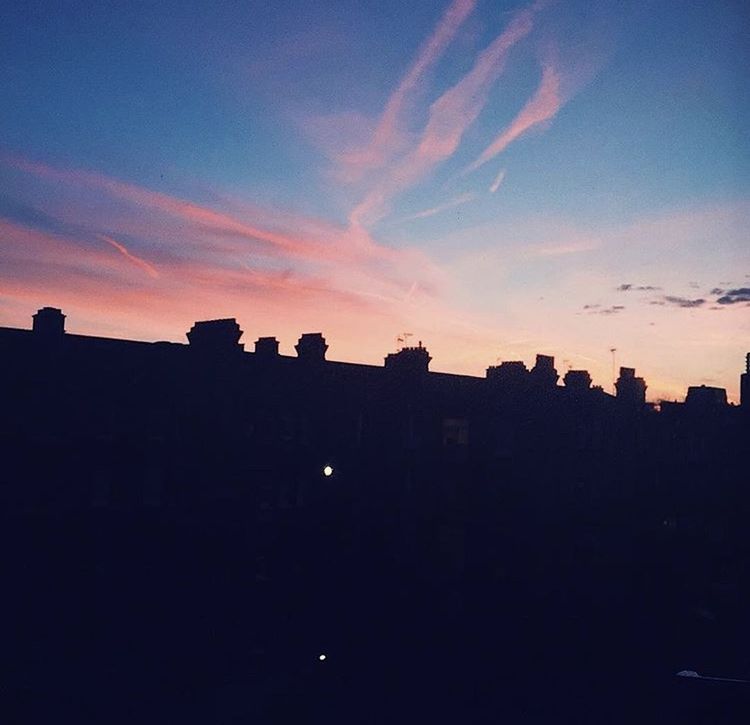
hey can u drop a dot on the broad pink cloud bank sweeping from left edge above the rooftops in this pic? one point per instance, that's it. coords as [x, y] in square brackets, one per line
[196, 256]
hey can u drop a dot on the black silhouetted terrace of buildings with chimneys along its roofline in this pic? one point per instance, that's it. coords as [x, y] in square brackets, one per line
[278, 503]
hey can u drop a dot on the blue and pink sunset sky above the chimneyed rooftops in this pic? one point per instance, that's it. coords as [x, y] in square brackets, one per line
[497, 179]
